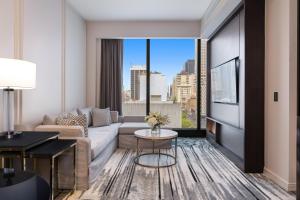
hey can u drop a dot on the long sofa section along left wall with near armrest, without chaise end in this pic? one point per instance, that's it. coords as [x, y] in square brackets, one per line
[92, 151]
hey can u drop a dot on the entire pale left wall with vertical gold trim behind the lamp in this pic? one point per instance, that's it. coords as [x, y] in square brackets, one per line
[57, 47]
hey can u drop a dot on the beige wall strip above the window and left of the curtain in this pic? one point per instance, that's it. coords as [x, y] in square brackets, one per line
[141, 29]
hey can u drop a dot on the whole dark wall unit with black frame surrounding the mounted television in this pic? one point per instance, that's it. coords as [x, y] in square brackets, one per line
[241, 129]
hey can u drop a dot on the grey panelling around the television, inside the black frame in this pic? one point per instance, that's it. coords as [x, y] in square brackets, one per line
[224, 46]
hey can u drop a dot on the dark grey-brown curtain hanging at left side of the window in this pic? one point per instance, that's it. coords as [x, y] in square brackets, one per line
[109, 74]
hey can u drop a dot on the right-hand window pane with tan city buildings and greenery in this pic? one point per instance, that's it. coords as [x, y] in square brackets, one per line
[173, 81]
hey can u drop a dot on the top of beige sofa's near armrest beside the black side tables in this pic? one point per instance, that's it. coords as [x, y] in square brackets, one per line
[64, 131]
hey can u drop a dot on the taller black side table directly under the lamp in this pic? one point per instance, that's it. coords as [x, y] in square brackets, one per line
[24, 141]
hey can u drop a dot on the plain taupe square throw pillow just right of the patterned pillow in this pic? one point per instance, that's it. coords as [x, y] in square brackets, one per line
[101, 117]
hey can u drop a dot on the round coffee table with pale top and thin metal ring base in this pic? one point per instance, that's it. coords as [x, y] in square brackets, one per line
[156, 159]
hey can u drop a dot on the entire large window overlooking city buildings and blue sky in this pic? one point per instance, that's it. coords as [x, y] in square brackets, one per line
[162, 75]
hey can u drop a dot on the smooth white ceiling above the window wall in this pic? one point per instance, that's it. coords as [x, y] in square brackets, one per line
[141, 10]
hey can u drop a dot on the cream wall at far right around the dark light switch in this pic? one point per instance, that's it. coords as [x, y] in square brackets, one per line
[281, 76]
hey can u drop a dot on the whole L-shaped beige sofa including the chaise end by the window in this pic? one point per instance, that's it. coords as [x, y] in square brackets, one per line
[94, 151]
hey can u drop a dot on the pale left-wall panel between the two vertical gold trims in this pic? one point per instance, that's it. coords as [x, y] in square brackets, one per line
[42, 44]
